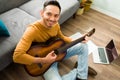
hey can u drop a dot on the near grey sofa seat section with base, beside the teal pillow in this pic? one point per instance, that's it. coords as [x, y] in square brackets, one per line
[16, 21]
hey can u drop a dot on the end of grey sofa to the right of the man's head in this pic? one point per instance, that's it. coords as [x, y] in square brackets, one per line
[69, 7]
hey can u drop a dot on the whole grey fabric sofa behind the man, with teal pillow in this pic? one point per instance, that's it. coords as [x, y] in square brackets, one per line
[16, 15]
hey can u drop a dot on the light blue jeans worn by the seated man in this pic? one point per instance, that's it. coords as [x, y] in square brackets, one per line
[80, 49]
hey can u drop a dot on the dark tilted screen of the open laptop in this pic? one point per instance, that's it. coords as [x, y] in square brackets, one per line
[111, 51]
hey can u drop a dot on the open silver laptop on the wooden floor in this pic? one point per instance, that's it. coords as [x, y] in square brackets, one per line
[105, 55]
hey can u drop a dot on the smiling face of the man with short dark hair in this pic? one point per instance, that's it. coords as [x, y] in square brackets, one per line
[50, 15]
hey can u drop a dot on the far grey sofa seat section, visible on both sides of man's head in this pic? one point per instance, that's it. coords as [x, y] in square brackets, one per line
[69, 7]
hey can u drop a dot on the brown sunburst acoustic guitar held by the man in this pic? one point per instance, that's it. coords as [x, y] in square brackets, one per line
[58, 46]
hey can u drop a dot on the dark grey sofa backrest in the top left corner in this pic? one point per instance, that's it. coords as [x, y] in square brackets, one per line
[6, 5]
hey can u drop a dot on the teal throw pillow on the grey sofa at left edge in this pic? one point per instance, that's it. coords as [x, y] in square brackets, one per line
[3, 29]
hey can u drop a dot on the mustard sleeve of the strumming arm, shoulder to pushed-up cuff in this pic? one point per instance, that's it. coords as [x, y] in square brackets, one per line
[20, 55]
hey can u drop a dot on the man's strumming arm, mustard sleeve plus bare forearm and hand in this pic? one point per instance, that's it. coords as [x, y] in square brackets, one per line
[20, 54]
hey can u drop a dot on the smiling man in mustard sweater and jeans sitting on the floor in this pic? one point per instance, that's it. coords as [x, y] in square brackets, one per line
[41, 31]
